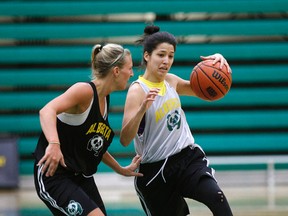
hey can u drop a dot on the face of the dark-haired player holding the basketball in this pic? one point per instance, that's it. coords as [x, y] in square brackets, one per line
[160, 61]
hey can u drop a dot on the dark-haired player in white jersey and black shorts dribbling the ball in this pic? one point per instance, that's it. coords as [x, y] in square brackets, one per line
[173, 165]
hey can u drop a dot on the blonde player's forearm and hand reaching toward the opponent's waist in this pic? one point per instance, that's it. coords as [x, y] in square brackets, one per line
[129, 170]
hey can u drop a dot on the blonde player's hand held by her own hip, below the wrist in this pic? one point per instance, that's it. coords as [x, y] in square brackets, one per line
[50, 161]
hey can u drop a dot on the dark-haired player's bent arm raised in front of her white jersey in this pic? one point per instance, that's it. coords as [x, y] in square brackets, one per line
[137, 102]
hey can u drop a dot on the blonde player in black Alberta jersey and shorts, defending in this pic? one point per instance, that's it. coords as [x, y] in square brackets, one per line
[76, 135]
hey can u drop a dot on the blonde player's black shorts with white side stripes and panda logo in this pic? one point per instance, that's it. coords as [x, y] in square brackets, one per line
[67, 193]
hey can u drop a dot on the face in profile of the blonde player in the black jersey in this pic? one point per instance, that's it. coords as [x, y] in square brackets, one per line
[124, 73]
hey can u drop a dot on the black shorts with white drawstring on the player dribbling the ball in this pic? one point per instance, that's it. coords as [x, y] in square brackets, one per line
[165, 183]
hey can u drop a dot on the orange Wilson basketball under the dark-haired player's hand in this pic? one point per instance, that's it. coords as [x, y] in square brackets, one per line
[209, 82]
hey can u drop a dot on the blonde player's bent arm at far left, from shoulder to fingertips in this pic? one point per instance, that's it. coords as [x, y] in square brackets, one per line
[66, 102]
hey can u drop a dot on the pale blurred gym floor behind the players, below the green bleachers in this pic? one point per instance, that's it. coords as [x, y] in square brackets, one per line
[248, 194]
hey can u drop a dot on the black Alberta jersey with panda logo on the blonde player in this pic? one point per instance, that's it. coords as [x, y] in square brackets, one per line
[83, 145]
